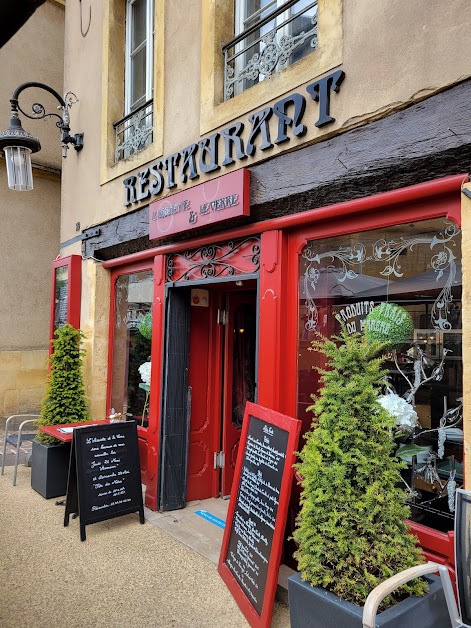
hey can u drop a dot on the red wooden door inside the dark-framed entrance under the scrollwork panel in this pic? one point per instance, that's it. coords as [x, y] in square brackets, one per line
[222, 379]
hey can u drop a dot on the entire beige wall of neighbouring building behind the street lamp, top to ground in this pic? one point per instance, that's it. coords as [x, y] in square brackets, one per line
[29, 236]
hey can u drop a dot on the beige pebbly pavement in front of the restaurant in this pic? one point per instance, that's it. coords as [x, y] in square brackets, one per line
[125, 575]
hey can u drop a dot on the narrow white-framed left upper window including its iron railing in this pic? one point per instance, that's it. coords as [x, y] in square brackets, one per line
[134, 131]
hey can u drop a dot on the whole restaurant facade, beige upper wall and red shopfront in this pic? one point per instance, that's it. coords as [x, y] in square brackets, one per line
[292, 167]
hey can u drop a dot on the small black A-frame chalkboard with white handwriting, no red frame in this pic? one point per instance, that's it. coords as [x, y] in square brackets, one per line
[104, 474]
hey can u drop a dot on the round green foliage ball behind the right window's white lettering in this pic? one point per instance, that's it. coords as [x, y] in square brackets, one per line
[390, 323]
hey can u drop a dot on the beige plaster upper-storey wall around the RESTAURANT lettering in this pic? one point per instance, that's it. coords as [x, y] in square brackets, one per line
[392, 55]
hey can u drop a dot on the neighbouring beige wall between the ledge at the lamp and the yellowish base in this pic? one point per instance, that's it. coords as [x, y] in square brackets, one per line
[29, 242]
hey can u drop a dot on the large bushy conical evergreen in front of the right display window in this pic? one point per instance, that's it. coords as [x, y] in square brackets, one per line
[351, 531]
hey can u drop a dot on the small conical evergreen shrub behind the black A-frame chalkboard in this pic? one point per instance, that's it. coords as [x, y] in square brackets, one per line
[64, 401]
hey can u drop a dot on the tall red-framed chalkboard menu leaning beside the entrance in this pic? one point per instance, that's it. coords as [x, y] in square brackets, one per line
[253, 536]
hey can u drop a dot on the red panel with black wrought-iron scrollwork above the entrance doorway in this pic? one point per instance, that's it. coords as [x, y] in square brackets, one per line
[237, 257]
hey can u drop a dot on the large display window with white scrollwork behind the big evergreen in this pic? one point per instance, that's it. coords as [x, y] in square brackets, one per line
[416, 266]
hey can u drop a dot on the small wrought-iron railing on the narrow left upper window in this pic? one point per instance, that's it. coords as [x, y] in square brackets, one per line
[134, 131]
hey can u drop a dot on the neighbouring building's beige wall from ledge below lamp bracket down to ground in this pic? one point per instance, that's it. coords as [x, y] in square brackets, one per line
[29, 241]
